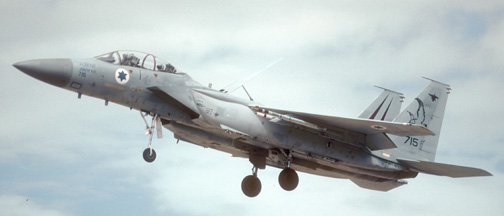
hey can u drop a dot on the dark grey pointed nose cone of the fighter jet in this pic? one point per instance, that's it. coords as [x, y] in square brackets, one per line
[53, 71]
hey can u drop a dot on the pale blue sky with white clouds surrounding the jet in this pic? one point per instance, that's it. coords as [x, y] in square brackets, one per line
[60, 155]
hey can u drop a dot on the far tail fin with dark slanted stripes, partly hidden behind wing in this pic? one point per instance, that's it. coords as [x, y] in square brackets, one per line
[385, 107]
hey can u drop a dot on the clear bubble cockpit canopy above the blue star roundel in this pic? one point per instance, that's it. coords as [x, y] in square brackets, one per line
[137, 59]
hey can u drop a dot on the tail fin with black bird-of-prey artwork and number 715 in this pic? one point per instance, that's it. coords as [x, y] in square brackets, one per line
[428, 110]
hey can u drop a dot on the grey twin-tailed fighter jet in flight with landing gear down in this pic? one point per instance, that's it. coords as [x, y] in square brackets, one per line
[378, 150]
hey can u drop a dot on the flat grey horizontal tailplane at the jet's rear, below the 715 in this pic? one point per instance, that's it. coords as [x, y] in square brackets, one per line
[441, 169]
